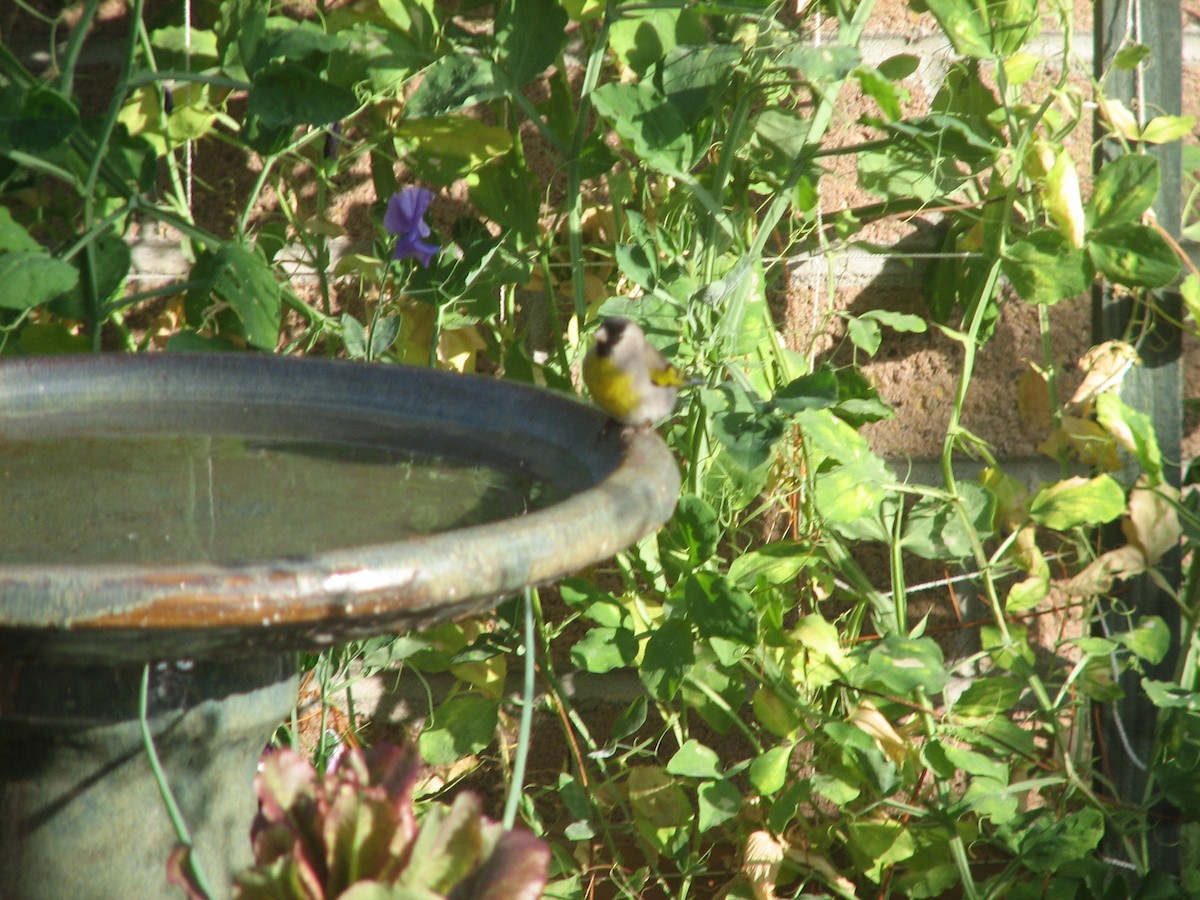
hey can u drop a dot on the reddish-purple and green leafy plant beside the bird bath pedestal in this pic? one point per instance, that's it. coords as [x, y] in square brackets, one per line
[352, 835]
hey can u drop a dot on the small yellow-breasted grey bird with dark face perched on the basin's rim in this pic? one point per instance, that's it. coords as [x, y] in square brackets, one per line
[629, 379]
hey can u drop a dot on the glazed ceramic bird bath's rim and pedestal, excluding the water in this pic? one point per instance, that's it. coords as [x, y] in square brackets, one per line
[200, 659]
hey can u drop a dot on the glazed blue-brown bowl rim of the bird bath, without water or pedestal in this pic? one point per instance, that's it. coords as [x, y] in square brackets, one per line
[621, 485]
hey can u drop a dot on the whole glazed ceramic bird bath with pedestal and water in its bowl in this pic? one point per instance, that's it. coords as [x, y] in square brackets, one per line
[205, 518]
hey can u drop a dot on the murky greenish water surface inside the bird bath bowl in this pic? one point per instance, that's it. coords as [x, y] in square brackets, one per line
[223, 500]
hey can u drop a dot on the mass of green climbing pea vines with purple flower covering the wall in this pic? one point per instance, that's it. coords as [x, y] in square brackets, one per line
[793, 724]
